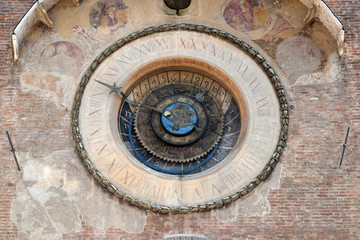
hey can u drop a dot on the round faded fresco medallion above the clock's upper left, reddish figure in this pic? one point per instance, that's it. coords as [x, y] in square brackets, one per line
[109, 15]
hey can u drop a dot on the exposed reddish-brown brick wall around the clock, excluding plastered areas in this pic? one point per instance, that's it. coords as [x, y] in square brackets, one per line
[316, 199]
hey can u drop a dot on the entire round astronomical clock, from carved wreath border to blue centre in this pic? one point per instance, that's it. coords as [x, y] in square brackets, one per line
[180, 121]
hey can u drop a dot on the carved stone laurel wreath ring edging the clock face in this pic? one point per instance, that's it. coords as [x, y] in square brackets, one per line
[163, 209]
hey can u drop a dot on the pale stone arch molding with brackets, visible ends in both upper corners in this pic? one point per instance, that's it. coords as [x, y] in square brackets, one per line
[38, 13]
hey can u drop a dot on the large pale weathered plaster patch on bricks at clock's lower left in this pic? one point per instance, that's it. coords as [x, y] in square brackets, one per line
[56, 194]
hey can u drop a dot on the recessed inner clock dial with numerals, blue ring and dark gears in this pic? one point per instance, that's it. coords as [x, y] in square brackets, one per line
[177, 128]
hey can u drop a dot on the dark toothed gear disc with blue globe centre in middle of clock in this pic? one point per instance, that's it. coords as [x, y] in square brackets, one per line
[179, 123]
